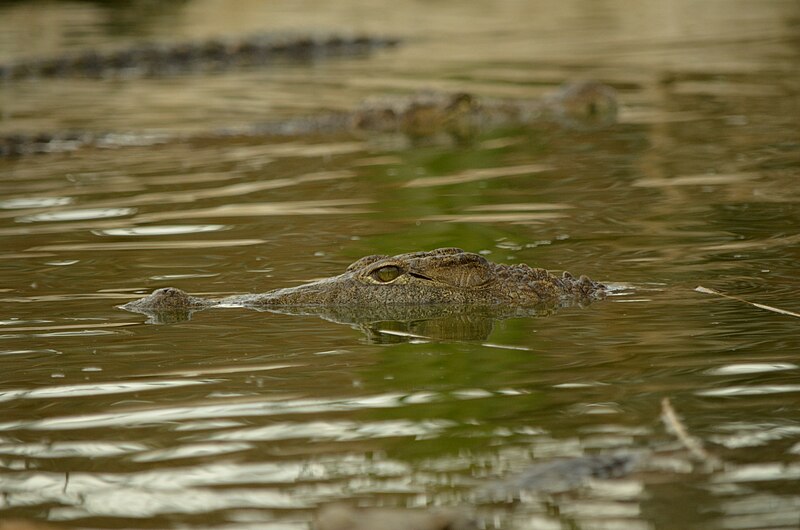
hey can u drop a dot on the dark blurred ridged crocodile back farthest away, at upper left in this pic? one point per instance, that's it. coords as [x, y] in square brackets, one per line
[158, 60]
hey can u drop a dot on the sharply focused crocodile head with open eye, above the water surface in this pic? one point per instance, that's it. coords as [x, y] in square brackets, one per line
[442, 277]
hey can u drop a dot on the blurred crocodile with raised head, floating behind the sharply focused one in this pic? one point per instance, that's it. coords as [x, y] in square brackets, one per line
[460, 116]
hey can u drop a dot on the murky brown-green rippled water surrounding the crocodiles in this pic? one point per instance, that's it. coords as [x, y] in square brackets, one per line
[240, 419]
